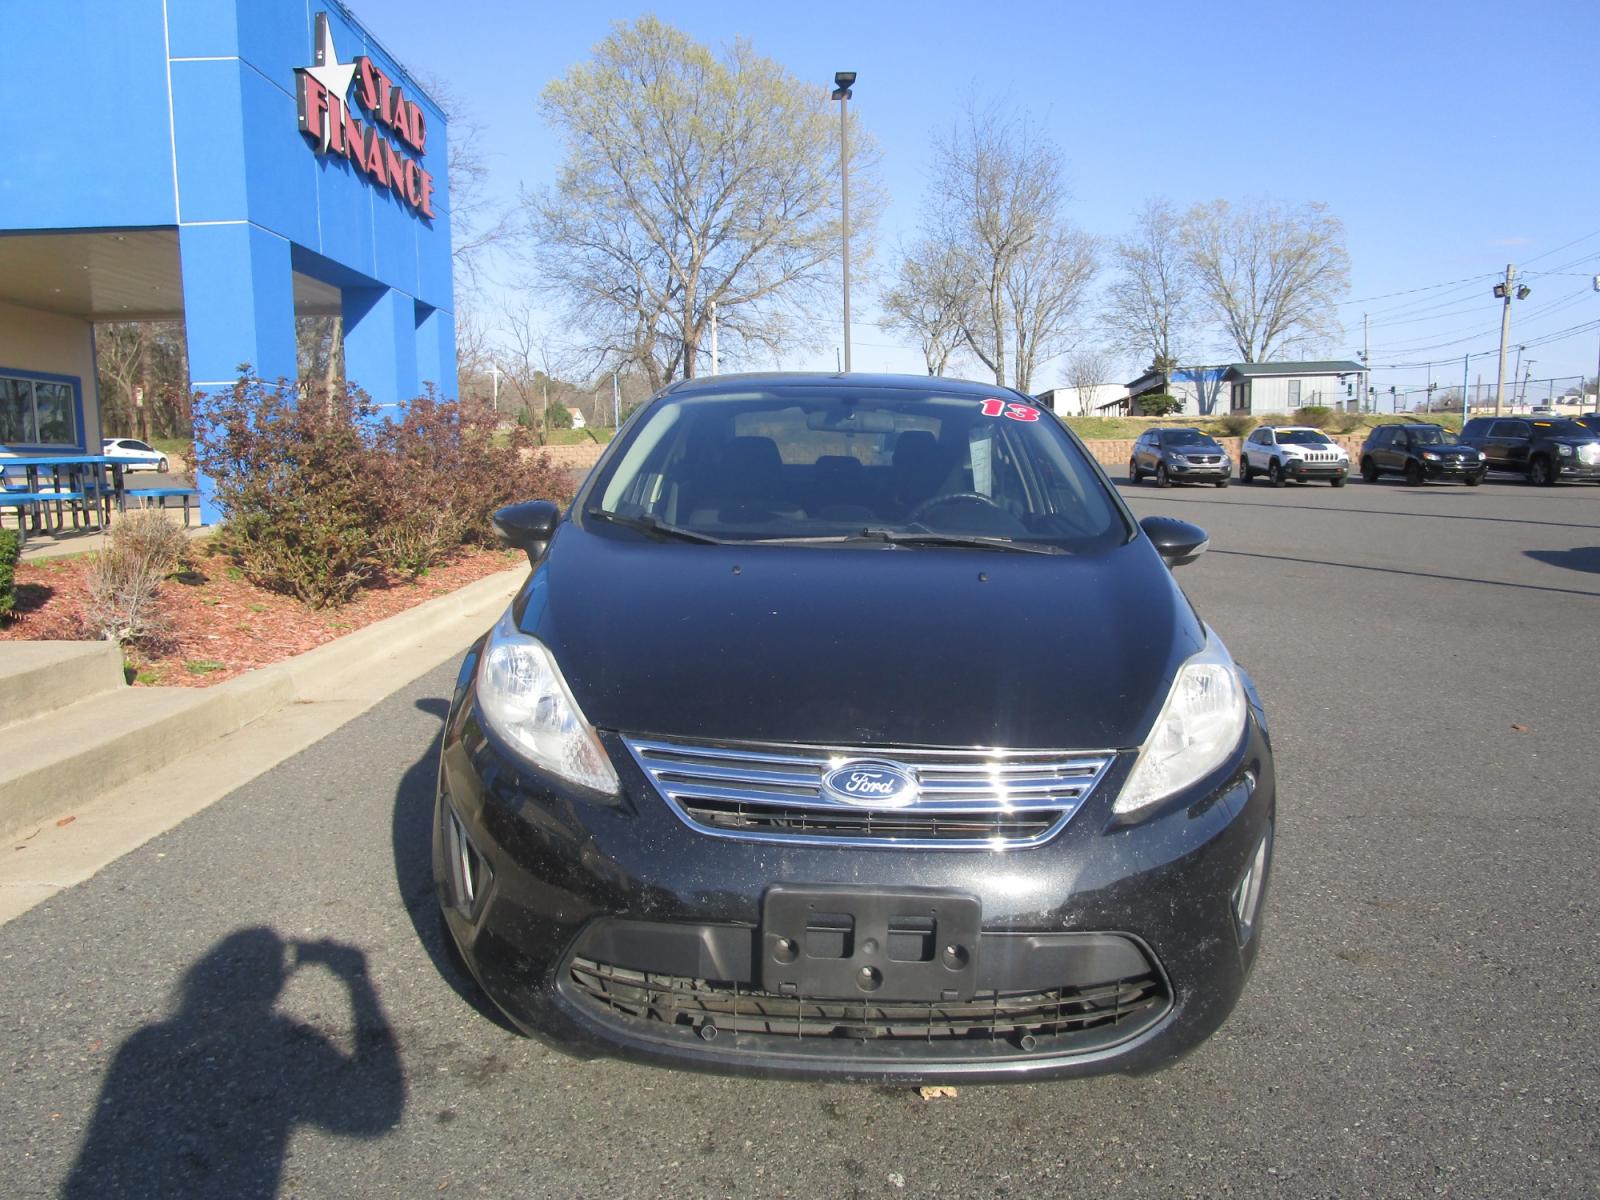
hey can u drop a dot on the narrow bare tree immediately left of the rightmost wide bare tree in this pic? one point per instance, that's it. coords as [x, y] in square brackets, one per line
[1151, 305]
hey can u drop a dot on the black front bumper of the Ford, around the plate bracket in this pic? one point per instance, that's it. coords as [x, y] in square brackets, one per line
[620, 930]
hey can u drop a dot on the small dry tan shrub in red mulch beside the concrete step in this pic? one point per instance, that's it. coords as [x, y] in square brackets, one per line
[126, 578]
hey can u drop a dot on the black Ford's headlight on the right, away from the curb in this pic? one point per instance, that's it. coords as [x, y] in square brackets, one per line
[1199, 727]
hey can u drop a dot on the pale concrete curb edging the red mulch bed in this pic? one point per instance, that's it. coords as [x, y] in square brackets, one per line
[135, 732]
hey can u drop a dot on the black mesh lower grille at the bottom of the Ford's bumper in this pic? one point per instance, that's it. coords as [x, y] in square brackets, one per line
[1046, 1023]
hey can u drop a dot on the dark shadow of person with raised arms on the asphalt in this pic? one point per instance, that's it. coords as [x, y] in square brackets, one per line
[204, 1103]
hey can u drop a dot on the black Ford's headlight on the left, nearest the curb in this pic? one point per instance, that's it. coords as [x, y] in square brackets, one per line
[526, 702]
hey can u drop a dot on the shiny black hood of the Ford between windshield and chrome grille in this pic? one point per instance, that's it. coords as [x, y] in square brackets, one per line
[860, 647]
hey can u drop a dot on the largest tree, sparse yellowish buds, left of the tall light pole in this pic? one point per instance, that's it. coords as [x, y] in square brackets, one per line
[692, 180]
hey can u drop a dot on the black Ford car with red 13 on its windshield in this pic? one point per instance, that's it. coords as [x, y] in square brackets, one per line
[850, 726]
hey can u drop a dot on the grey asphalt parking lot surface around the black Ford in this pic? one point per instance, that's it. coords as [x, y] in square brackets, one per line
[1422, 1023]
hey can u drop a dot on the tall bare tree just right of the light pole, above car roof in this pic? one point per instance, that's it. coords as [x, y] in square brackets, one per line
[1017, 266]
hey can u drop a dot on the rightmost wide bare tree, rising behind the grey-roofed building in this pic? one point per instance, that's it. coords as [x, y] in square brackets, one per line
[1270, 274]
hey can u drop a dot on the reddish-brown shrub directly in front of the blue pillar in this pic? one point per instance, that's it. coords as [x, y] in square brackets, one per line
[294, 479]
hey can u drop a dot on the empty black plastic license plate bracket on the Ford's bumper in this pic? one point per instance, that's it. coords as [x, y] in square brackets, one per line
[842, 943]
